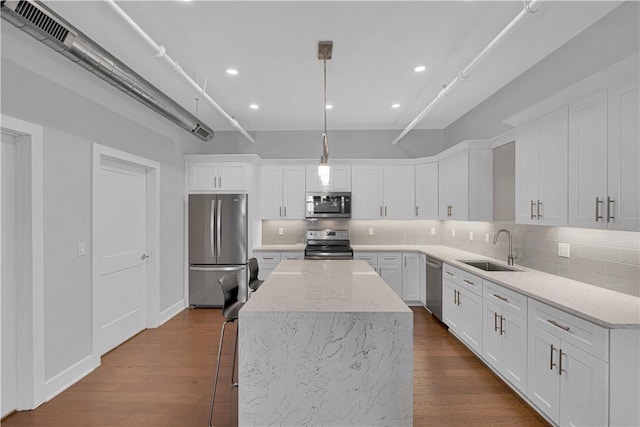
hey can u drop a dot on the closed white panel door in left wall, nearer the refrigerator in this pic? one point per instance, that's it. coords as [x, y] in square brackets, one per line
[121, 246]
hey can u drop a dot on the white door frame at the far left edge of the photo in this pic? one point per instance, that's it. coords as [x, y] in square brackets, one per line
[30, 304]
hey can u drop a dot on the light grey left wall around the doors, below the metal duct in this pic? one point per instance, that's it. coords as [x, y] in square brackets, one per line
[72, 122]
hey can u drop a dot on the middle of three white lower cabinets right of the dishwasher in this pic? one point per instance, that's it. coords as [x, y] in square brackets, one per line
[504, 335]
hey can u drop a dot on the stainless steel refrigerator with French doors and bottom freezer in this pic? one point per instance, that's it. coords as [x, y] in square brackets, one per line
[217, 246]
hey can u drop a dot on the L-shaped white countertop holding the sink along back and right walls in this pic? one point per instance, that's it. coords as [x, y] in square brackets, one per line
[601, 306]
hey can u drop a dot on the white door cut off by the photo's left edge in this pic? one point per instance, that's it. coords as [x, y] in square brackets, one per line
[9, 275]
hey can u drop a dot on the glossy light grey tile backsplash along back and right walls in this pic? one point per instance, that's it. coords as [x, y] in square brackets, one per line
[609, 259]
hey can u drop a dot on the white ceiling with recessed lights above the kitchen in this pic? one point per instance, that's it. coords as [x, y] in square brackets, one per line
[273, 45]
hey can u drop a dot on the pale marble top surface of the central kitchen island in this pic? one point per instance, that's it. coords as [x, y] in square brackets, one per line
[324, 286]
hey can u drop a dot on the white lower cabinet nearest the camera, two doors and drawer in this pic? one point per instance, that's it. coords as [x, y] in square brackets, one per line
[568, 369]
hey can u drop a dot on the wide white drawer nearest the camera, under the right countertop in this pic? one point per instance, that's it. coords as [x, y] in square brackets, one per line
[581, 333]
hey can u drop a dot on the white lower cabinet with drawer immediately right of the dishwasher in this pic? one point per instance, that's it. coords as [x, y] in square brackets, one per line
[462, 305]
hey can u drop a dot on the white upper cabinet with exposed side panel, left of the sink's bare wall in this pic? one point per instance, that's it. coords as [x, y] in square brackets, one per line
[465, 186]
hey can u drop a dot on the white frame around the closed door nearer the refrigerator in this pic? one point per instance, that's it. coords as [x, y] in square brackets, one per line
[152, 287]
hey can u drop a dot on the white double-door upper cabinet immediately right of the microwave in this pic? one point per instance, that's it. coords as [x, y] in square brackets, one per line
[382, 192]
